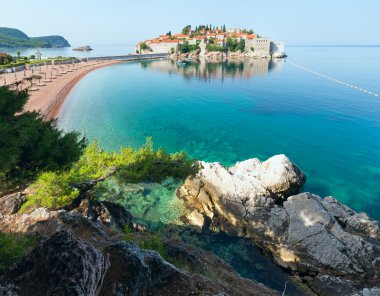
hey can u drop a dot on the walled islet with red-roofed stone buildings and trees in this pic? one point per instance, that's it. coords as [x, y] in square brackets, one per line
[208, 41]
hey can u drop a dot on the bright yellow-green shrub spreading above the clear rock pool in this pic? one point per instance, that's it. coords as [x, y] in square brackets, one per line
[56, 190]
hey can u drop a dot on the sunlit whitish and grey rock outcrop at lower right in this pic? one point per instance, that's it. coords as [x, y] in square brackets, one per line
[331, 248]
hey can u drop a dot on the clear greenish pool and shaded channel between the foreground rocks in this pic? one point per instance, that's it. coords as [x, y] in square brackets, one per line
[156, 206]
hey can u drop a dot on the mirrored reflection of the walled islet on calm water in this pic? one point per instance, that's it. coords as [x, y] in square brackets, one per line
[206, 70]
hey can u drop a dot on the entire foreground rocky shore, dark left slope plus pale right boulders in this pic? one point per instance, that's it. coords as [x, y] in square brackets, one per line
[325, 246]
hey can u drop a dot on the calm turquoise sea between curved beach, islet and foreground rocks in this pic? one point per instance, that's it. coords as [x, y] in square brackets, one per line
[233, 111]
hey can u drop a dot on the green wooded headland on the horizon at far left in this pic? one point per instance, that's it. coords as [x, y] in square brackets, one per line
[14, 38]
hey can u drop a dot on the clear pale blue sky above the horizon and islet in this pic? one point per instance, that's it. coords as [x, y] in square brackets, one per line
[96, 22]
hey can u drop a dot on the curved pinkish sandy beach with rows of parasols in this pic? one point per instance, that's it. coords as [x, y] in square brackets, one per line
[48, 94]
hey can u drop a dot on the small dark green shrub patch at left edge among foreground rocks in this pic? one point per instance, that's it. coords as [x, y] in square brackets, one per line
[12, 248]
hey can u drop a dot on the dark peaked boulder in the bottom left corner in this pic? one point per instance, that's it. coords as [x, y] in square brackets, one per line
[60, 265]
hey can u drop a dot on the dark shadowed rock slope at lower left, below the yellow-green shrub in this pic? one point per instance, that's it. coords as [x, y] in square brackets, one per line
[84, 254]
